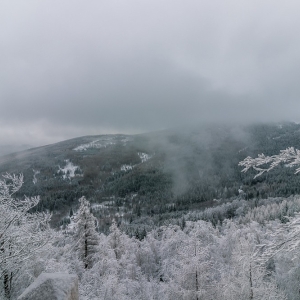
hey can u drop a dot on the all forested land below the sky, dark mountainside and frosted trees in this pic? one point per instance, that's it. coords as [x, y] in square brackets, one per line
[165, 215]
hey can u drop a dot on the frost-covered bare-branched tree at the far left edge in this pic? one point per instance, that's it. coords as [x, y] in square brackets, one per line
[22, 234]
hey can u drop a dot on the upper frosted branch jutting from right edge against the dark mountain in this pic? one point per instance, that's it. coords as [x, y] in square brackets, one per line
[289, 156]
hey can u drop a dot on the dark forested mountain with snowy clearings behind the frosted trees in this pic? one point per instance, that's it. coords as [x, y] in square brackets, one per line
[154, 176]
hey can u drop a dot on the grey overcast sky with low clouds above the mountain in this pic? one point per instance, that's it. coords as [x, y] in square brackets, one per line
[70, 68]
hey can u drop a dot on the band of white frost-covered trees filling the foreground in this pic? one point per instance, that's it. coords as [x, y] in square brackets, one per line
[253, 255]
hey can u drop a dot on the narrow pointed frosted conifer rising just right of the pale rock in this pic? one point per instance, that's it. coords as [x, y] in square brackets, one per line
[86, 237]
